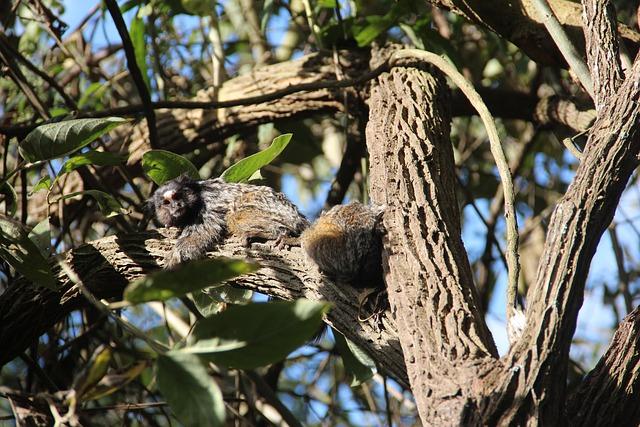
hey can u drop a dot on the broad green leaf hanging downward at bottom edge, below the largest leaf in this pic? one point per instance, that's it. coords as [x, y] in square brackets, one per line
[191, 393]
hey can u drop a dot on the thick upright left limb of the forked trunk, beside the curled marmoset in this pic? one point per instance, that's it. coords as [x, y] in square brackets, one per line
[427, 272]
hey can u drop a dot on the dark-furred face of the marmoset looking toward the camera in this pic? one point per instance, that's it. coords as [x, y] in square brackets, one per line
[176, 204]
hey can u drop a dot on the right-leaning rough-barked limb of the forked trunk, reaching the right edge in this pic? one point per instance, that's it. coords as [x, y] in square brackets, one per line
[535, 386]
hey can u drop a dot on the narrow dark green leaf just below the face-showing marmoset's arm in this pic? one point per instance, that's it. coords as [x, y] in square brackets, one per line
[188, 277]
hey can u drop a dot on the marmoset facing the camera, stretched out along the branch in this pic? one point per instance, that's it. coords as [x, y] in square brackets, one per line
[207, 211]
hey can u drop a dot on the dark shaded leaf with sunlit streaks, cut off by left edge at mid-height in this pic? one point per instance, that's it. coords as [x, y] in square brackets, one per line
[22, 254]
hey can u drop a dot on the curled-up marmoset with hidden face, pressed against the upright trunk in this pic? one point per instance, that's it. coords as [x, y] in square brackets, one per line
[346, 244]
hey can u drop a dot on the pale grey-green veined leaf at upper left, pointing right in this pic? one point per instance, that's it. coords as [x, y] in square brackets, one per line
[54, 140]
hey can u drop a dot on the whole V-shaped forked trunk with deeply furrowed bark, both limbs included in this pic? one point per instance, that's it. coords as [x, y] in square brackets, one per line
[451, 362]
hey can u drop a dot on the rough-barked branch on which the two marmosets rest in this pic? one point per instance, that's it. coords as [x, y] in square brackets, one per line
[107, 265]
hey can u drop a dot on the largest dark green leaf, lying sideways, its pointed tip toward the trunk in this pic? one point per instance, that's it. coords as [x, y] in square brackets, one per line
[248, 336]
